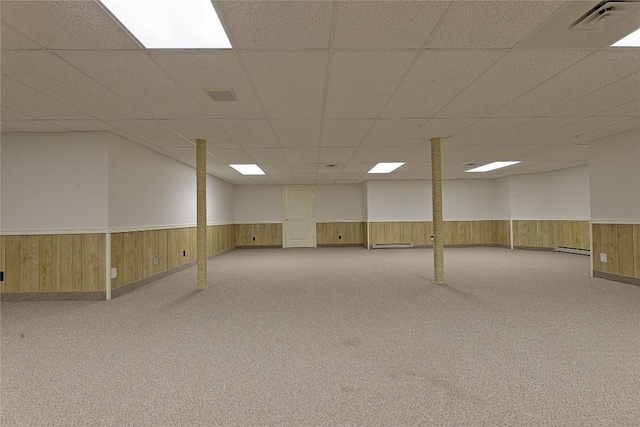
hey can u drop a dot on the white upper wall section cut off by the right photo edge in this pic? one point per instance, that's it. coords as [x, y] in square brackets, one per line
[614, 167]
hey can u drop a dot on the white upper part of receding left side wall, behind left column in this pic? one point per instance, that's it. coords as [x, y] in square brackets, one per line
[149, 190]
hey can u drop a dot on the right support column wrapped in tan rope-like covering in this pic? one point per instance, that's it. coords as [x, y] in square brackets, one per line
[438, 225]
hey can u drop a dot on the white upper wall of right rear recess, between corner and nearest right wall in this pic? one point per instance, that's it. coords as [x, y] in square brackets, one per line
[562, 194]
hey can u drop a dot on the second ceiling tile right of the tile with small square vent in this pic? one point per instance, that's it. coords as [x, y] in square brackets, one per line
[360, 83]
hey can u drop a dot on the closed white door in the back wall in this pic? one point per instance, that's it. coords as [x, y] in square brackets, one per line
[299, 229]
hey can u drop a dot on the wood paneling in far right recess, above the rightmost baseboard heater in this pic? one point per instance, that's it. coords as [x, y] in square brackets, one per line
[551, 233]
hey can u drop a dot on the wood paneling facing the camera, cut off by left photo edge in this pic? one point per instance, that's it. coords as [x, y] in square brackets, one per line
[53, 263]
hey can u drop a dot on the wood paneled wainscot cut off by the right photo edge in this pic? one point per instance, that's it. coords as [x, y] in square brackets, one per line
[621, 245]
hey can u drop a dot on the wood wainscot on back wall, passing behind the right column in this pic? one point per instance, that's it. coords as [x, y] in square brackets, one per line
[456, 233]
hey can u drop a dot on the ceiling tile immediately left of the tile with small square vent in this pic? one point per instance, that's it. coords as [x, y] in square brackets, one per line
[135, 77]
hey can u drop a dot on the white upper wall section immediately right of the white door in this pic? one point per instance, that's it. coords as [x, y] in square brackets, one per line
[339, 203]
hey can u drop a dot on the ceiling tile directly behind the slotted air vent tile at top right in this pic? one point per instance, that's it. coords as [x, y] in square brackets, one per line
[513, 75]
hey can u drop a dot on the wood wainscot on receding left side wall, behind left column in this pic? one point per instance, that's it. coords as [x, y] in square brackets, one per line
[133, 253]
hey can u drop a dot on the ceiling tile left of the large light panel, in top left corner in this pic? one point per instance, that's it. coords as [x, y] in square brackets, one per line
[67, 24]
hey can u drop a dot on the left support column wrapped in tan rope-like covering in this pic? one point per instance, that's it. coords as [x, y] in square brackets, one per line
[201, 186]
